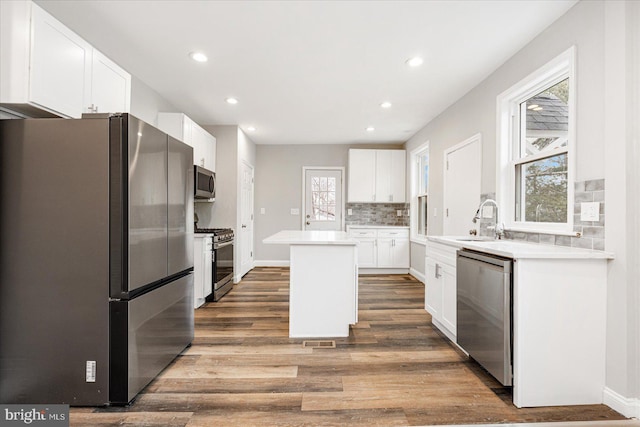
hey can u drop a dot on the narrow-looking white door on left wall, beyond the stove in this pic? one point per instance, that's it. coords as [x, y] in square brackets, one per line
[246, 214]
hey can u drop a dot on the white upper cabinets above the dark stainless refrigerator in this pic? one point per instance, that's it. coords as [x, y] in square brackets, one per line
[48, 70]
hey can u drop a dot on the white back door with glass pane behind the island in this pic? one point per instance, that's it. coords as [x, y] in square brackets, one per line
[323, 199]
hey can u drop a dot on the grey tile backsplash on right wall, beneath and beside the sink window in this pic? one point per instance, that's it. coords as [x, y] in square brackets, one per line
[591, 232]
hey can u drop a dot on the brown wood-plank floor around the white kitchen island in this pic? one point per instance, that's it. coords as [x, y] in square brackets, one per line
[394, 369]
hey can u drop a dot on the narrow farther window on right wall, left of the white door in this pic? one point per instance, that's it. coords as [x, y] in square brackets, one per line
[419, 191]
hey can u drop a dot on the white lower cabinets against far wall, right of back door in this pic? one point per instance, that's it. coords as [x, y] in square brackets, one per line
[382, 247]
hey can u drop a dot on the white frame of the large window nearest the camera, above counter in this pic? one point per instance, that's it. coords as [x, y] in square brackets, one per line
[508, 139]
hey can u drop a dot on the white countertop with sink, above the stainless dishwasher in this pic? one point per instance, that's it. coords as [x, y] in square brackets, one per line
[519, 249]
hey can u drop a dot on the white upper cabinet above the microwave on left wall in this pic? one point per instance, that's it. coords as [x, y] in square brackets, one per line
[186, 130]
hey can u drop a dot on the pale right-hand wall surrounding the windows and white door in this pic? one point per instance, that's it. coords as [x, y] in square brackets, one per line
[598, 31]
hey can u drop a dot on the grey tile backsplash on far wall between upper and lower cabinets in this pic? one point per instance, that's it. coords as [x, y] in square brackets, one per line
[377, 214]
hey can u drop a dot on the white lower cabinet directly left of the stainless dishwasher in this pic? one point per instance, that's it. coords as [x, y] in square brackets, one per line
[440, 297]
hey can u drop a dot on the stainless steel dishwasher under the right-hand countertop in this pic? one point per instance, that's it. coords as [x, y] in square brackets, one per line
[484, 316]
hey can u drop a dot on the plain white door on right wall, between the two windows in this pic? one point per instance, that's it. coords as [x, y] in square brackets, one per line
[461, 186]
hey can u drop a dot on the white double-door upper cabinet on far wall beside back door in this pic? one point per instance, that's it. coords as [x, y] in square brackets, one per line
[377, 176]
